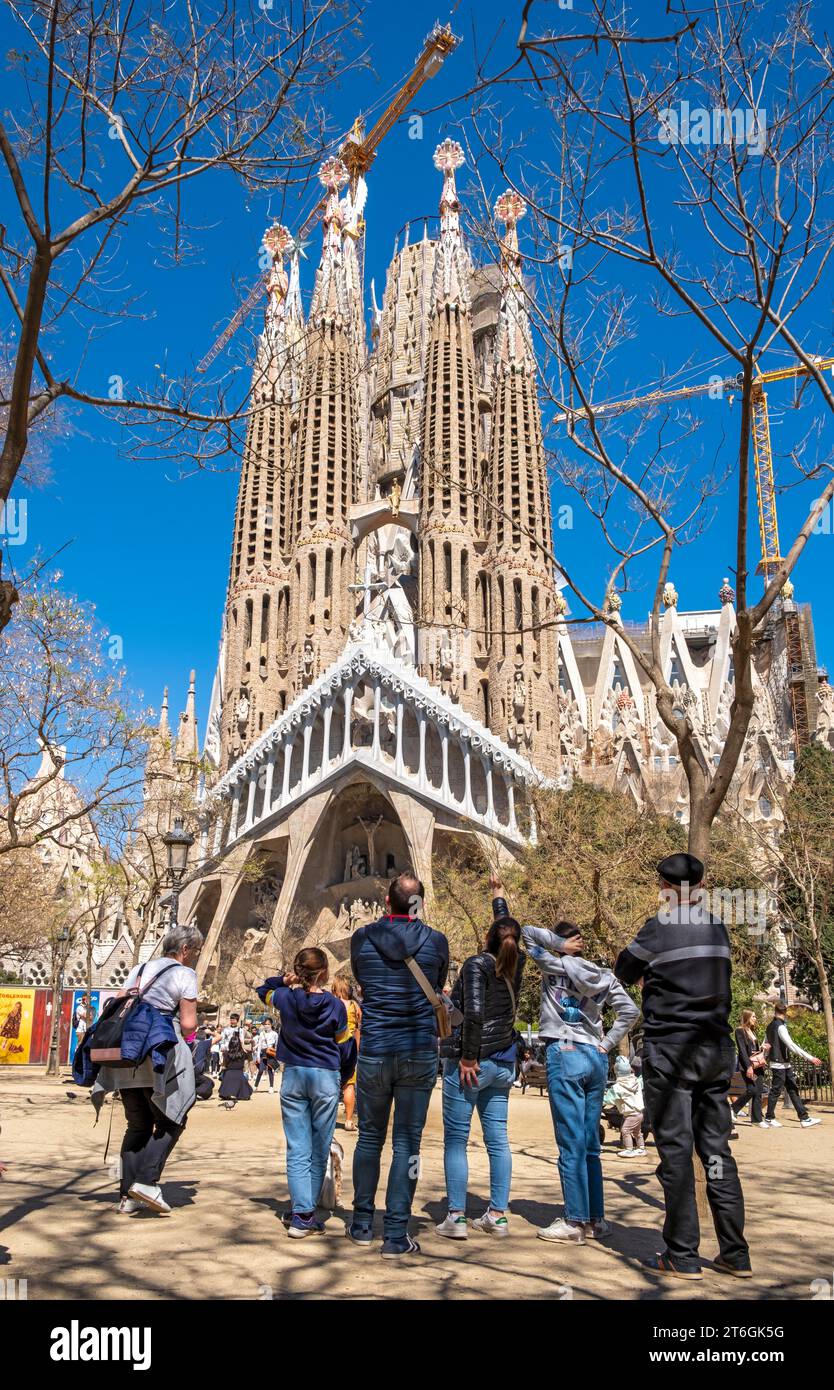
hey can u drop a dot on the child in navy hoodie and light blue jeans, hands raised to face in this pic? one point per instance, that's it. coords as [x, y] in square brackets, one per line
[313, 1027]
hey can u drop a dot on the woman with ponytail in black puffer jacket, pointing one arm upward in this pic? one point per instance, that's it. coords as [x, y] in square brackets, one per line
[479, 1070]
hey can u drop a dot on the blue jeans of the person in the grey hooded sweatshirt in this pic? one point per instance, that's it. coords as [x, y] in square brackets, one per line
[576, 1084]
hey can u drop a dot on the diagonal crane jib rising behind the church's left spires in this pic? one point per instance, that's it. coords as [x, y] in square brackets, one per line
[358, 155]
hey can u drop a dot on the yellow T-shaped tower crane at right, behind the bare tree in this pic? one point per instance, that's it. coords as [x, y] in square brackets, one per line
[761, 432]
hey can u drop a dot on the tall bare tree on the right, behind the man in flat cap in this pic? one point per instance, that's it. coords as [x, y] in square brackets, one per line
[675, 172]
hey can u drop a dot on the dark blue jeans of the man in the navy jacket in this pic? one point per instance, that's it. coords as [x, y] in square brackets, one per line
[407, 1082]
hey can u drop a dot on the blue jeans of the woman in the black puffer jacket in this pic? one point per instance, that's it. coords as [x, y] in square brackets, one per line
[490, 1099]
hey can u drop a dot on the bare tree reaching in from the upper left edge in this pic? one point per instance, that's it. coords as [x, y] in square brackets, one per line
[124, 109]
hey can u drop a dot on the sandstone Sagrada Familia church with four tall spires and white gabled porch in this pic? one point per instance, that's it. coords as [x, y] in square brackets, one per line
[398, 669]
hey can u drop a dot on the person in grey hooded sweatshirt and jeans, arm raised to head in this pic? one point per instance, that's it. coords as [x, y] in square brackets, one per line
[576, 993]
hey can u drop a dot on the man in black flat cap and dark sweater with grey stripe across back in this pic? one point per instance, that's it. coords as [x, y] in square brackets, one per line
[683, 958]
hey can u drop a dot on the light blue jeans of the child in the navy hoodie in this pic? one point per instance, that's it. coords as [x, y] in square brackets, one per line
[309, 1103]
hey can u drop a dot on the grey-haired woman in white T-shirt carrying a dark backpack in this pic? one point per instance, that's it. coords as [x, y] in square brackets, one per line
[158, 1103]
